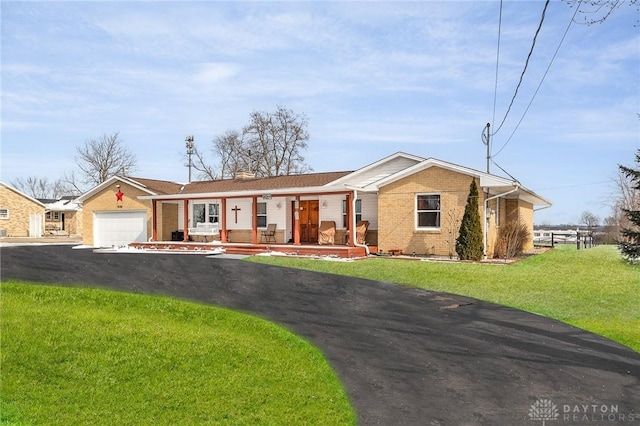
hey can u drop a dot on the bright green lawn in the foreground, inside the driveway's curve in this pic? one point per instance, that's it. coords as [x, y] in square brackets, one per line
[88, 356]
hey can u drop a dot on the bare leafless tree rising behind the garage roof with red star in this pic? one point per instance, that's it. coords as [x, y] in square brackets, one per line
[99, 159]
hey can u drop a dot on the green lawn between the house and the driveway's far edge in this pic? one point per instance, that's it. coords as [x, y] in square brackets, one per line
[591, 289]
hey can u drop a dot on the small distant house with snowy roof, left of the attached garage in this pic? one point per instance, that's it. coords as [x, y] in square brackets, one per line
[63, 216]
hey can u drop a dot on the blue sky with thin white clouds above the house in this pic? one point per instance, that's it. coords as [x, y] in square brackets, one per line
[372, 78]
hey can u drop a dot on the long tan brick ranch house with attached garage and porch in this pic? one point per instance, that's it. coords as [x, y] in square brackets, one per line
[412, 204]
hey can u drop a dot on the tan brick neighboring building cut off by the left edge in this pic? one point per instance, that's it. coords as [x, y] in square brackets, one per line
[20, 214]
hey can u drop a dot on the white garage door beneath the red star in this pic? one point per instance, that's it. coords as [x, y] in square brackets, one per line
[119, 228]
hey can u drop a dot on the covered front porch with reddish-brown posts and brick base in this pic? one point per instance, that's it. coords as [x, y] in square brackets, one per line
[239, 221]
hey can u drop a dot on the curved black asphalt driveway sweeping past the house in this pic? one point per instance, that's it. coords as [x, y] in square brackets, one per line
[405, 356]
